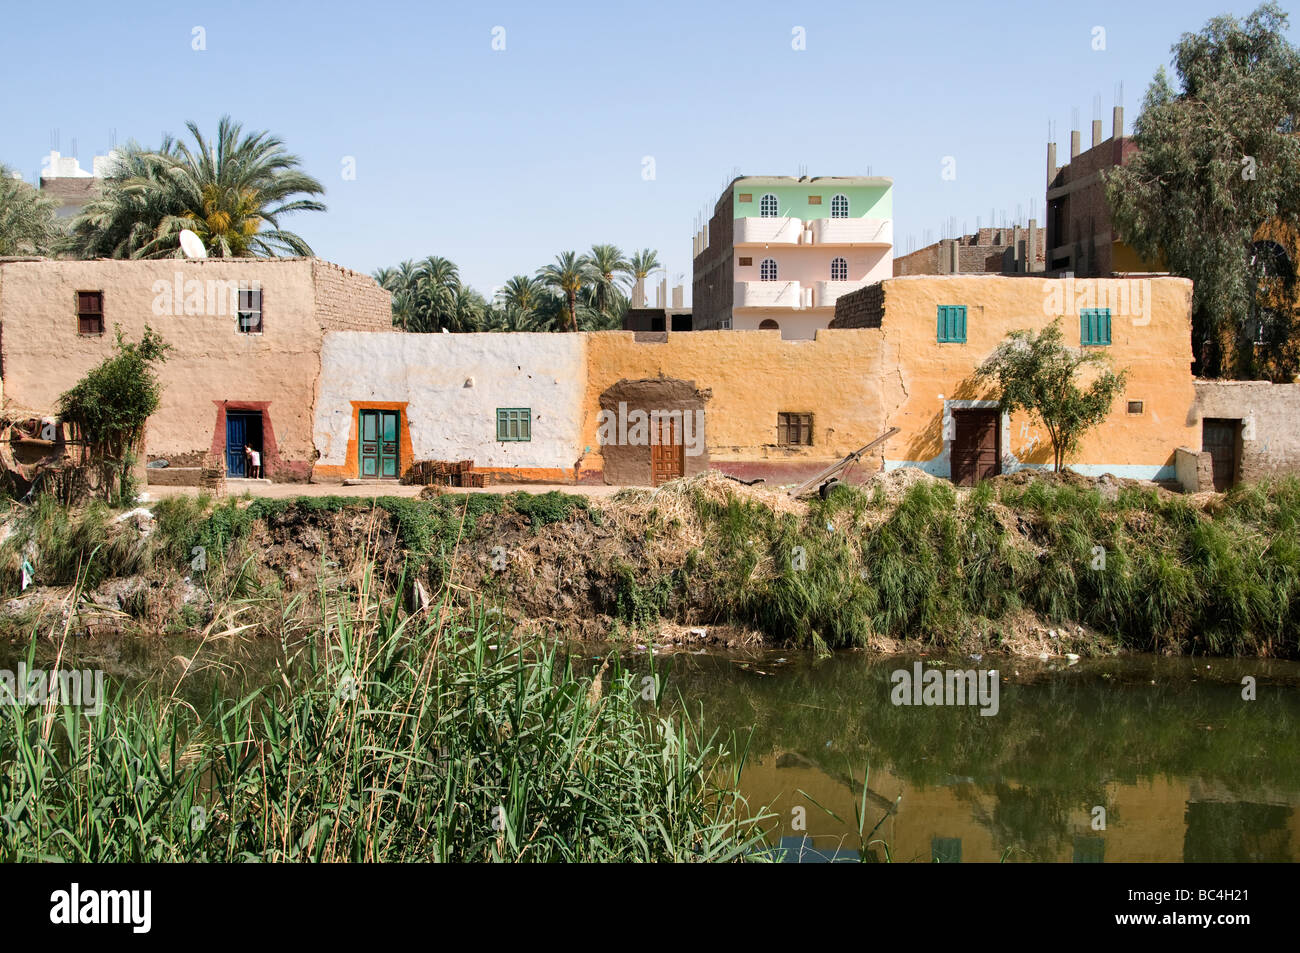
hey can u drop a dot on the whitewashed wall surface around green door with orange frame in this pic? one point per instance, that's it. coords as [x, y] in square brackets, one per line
[454, 385]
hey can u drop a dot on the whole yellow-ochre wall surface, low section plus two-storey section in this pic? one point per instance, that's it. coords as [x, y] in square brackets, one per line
[860, 382]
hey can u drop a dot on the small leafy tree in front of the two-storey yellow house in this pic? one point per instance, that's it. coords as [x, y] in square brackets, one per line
[1039, 374]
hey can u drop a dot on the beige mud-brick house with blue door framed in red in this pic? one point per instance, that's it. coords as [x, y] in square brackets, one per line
[246, 341]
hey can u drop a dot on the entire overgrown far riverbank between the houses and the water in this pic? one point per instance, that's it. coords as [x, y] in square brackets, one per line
[1026, 565]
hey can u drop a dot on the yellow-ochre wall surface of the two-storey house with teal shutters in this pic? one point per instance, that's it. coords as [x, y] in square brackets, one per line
[1155, 346]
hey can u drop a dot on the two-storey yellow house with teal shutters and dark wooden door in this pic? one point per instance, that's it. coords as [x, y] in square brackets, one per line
[937, 331]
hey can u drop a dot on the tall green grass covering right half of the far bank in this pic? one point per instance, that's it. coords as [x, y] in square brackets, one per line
[1146, 568]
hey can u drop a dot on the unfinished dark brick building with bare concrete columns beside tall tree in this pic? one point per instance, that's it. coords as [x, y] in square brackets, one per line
[1081, 239]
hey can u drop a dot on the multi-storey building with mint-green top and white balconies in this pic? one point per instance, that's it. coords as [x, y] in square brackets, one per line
[781, 250]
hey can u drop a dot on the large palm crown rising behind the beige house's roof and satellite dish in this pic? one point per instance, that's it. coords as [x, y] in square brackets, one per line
[232, 192]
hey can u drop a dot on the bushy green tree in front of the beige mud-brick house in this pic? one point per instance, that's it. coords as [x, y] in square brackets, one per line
[111, 406]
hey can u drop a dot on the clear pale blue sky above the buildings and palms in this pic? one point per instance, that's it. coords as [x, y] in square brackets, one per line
[499, 159]
